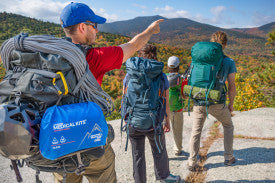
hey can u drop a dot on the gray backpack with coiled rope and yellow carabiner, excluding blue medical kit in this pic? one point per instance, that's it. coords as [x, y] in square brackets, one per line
[42, 71]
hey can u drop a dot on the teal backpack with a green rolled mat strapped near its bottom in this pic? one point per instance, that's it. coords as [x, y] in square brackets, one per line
[205, 84]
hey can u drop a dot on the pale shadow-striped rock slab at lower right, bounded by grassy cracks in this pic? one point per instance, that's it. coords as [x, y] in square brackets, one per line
[255, 162]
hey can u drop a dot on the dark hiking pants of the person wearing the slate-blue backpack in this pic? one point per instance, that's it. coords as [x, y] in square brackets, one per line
[161, 162]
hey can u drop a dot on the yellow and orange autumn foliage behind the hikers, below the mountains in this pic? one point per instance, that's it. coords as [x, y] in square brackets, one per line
[255, 78]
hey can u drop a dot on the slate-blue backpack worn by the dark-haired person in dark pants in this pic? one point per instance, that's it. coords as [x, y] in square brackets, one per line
[143, 104]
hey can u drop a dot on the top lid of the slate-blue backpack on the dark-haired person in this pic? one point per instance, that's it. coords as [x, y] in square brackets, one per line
[138, 66]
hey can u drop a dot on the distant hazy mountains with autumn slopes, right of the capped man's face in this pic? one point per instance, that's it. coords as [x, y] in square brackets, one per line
[183, 32]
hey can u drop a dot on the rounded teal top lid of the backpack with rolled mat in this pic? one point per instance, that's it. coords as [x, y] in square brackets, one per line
[207, 53]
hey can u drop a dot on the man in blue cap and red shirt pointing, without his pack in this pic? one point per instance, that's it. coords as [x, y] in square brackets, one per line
[80, 24]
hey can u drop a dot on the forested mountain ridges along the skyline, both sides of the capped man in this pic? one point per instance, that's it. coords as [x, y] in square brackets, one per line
[178, 32]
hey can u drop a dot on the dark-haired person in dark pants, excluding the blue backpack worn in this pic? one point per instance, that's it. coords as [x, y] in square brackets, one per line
[137, 137]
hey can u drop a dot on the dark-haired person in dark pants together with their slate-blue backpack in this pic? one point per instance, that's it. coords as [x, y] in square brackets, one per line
[145, 89]
